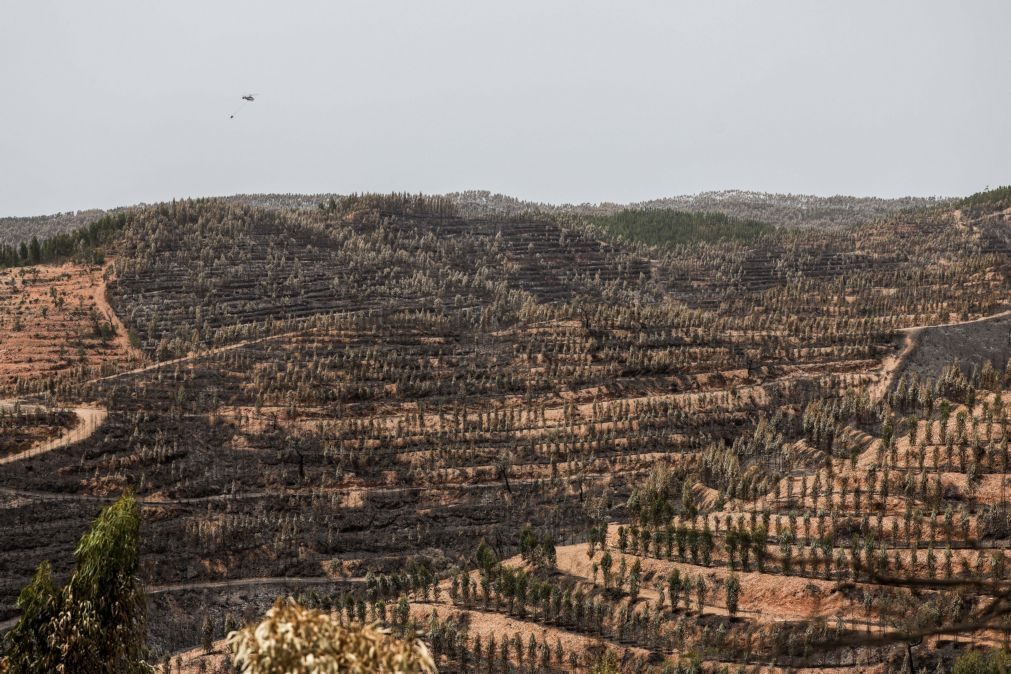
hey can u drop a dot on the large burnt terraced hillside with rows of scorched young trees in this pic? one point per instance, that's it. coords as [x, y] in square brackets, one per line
[711, 450]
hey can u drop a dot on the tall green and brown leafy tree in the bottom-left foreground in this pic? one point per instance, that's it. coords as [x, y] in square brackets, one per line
[97, 623]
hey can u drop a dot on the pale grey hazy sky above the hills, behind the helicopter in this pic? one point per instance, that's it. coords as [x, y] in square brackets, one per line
[111, 104]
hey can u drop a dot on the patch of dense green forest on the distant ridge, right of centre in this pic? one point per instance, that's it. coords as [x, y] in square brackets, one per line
[660, 227]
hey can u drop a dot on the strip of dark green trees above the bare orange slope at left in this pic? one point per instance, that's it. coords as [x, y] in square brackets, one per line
[85, 245]
